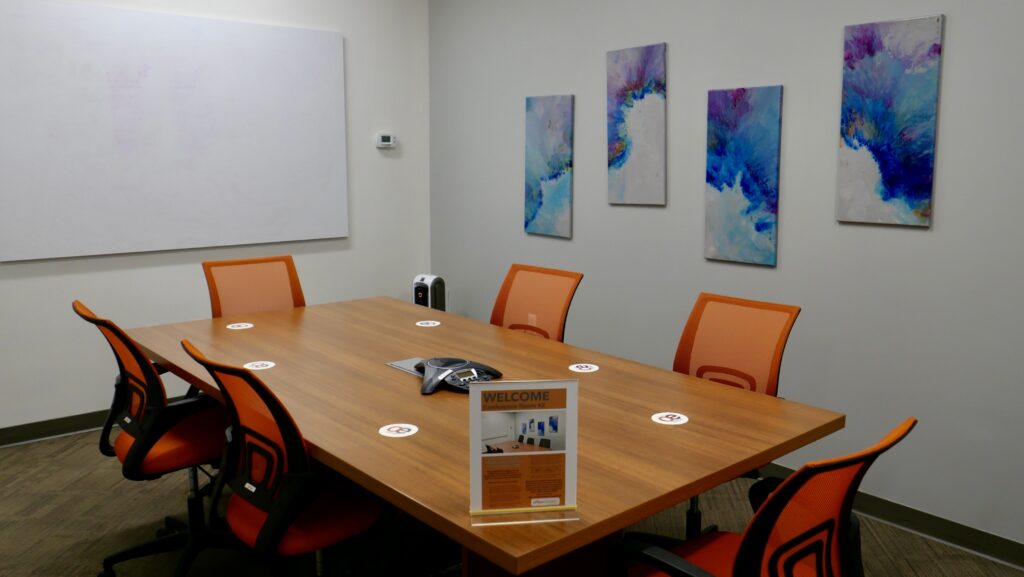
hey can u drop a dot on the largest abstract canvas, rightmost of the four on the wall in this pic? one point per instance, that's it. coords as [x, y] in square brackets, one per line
[887, 139]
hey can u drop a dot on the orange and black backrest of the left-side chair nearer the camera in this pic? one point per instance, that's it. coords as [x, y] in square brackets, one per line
[266, 444]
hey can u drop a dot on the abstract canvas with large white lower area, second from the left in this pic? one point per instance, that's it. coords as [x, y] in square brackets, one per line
[636, 126]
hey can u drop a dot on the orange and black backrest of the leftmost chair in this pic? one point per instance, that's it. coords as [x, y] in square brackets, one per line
[140, 392]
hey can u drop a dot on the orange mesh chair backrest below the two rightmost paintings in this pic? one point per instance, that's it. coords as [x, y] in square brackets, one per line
[736, 342]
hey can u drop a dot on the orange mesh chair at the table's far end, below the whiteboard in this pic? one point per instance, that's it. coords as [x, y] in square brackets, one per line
[253, 285]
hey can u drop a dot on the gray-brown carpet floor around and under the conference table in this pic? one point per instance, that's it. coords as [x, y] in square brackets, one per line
[64, 507]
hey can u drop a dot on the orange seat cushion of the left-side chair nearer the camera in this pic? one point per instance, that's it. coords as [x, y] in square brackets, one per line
[331, 518]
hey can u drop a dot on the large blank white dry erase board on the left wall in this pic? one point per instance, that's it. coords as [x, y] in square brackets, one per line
[129, 132]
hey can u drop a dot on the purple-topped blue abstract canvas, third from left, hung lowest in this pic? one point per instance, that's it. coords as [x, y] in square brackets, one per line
[742, 176]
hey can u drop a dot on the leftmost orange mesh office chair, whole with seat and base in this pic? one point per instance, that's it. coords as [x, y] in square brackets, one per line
[156, 437]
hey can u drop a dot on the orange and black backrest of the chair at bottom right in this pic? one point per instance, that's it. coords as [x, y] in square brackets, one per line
[800, 529]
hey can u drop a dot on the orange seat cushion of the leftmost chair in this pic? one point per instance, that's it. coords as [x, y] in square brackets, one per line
[195, 440]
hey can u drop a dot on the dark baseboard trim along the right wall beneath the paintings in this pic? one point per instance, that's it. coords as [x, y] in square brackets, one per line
[994, 547]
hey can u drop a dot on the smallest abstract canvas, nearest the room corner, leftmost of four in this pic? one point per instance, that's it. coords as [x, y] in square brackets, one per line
[549, 167]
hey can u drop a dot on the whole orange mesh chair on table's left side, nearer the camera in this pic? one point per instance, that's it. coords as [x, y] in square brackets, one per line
[278, 506]
